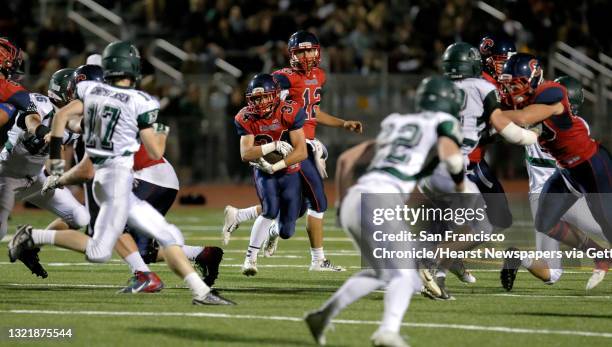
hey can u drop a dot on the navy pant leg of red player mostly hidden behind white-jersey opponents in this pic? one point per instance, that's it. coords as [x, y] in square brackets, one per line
[493, 193]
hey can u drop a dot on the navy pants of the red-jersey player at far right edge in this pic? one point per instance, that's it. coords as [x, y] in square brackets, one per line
[593, 178]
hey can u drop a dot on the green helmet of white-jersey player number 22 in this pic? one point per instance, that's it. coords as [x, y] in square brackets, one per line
[437, 93]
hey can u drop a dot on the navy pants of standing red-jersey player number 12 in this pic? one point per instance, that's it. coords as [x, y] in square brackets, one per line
[312, 184]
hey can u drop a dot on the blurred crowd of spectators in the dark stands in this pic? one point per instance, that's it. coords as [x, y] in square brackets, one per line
[359, 36]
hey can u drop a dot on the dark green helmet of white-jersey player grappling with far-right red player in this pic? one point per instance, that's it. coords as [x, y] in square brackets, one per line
[461, 60]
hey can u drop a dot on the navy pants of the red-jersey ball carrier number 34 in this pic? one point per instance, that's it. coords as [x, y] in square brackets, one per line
[280, 195]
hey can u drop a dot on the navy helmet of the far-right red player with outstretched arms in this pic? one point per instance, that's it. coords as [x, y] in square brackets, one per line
[520, 77]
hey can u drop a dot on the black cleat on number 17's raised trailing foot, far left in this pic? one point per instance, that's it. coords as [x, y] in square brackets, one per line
[21, 247]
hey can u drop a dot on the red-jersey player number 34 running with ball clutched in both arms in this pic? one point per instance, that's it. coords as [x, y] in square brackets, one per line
[266, 125]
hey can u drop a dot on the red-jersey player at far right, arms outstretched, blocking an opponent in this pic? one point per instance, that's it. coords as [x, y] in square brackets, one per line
[583, 163]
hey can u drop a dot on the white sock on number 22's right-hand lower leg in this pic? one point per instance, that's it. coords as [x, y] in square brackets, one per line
[397, 298]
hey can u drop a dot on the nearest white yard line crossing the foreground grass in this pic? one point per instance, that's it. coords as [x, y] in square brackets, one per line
[501, 329]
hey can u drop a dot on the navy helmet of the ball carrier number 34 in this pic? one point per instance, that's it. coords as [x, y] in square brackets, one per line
[262, 94]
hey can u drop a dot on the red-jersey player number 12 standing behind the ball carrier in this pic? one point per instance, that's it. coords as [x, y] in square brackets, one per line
[302, 83]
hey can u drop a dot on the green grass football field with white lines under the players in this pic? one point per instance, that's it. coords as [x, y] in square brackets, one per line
[82, 297]
